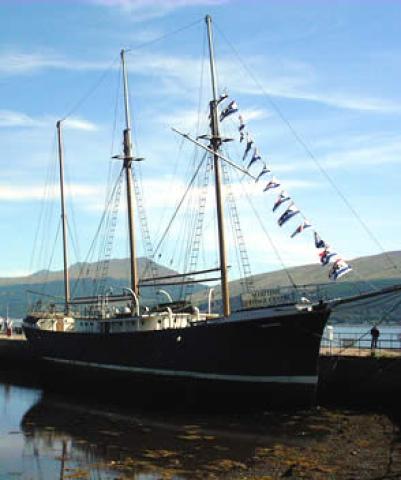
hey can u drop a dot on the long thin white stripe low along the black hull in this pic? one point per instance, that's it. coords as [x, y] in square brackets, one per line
[302, 379]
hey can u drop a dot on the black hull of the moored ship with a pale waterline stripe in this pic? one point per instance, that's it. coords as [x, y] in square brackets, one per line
[266, 360]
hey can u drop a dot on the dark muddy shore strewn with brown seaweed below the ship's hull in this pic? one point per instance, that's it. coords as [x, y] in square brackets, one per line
[318, 444]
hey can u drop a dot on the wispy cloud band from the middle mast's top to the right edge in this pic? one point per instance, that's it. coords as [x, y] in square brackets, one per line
[293, 81]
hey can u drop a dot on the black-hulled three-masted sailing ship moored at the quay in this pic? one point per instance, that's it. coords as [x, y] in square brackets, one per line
[263, 355]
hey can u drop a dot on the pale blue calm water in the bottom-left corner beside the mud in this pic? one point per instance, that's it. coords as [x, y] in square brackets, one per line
[35, 441]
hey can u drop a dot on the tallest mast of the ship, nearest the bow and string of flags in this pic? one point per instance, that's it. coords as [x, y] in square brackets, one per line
[215, 145]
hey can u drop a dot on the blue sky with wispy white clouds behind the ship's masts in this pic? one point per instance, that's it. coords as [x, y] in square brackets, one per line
[317, 83]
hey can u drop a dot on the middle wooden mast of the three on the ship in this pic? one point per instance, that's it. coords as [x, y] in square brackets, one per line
[128, 158]
